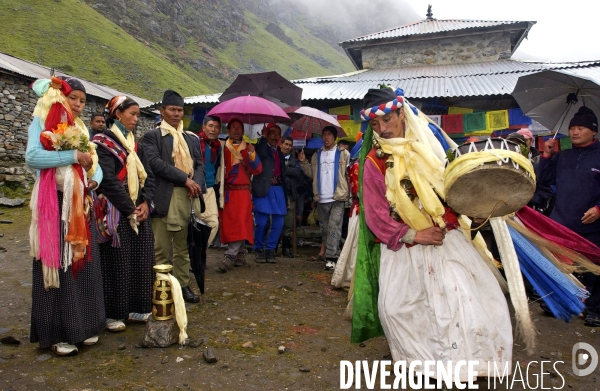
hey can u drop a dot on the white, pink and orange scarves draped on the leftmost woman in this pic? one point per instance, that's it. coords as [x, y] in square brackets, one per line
[53, 110]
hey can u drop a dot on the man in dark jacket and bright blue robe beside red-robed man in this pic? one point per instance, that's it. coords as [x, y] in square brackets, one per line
[269, 195]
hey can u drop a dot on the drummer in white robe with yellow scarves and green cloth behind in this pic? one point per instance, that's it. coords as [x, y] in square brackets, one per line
[434, 295]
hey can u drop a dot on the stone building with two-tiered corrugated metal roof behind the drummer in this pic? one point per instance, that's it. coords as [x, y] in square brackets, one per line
[439, 63]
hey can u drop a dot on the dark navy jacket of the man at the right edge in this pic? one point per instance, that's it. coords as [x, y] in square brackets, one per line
[576, 174]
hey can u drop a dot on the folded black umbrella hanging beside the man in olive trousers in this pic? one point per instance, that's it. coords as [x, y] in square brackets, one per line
[197, 243]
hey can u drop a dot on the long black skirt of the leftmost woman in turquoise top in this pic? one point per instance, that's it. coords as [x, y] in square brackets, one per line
[75, 311]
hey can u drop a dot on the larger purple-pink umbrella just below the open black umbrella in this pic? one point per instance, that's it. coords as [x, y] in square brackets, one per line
[249, 110]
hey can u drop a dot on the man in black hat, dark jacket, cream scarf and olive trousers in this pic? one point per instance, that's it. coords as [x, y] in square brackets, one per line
[179, 177]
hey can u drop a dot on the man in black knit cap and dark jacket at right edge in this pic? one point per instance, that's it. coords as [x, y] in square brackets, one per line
[576, 174]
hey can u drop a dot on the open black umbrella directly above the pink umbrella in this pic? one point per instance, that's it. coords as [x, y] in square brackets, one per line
[268, 85]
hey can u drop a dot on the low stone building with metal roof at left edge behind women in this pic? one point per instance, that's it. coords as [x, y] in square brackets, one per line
[17, 102]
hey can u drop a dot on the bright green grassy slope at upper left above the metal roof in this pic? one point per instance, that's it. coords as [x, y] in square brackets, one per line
[71, 36]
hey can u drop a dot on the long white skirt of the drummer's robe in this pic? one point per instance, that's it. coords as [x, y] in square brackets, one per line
[442, 303]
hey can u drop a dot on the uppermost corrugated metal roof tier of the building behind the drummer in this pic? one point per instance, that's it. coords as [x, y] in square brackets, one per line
[430, 26]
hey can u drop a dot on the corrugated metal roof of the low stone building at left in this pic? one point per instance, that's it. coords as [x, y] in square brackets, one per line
[36, 71]
